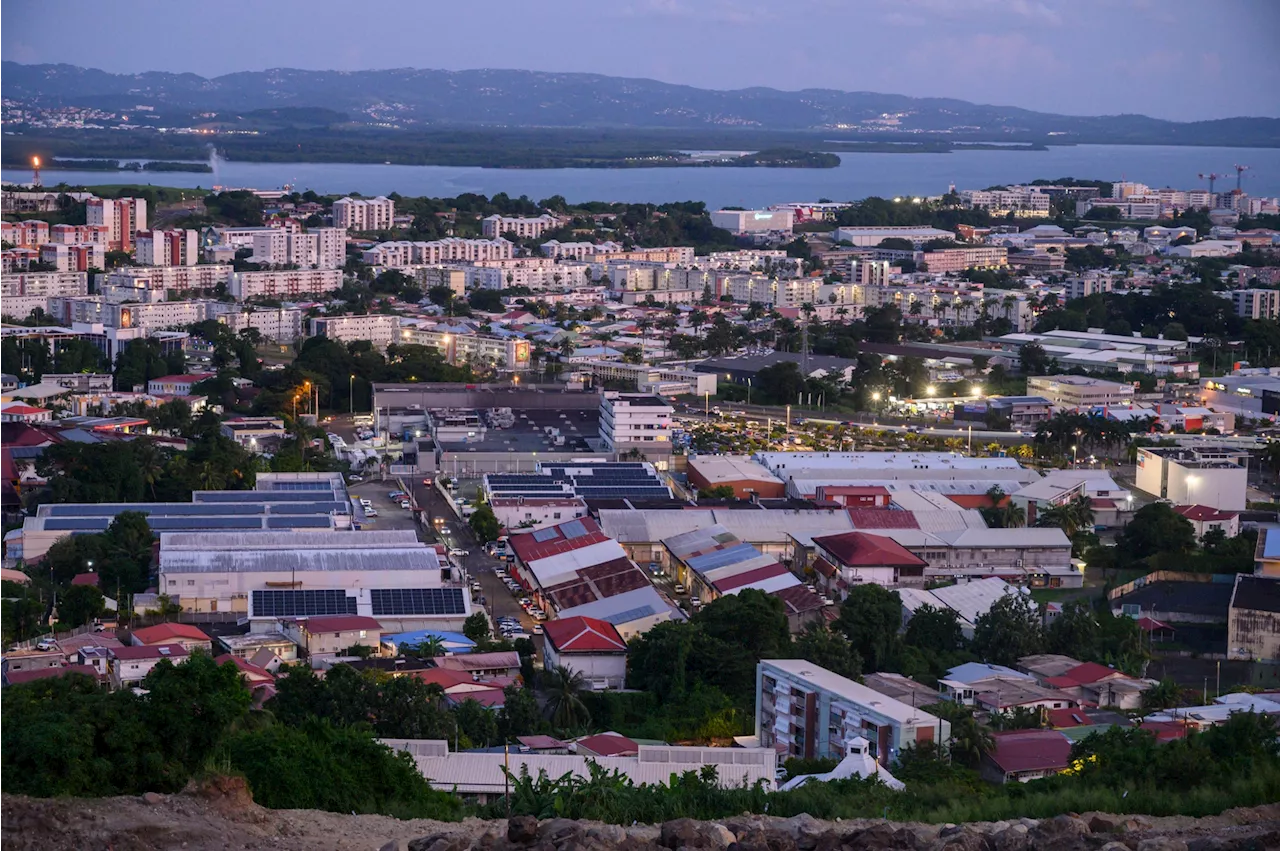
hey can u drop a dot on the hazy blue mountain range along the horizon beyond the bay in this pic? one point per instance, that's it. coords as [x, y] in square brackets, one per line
[510, 99]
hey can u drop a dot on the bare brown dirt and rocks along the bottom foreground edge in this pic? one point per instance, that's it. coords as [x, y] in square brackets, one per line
[222, 817]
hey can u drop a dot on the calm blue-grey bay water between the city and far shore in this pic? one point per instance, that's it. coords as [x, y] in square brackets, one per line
[858, 176]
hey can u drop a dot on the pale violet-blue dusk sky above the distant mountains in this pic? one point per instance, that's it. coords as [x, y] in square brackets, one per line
[1174, 60]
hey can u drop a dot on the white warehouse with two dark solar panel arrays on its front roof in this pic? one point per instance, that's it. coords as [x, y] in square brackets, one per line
[268, 577]
